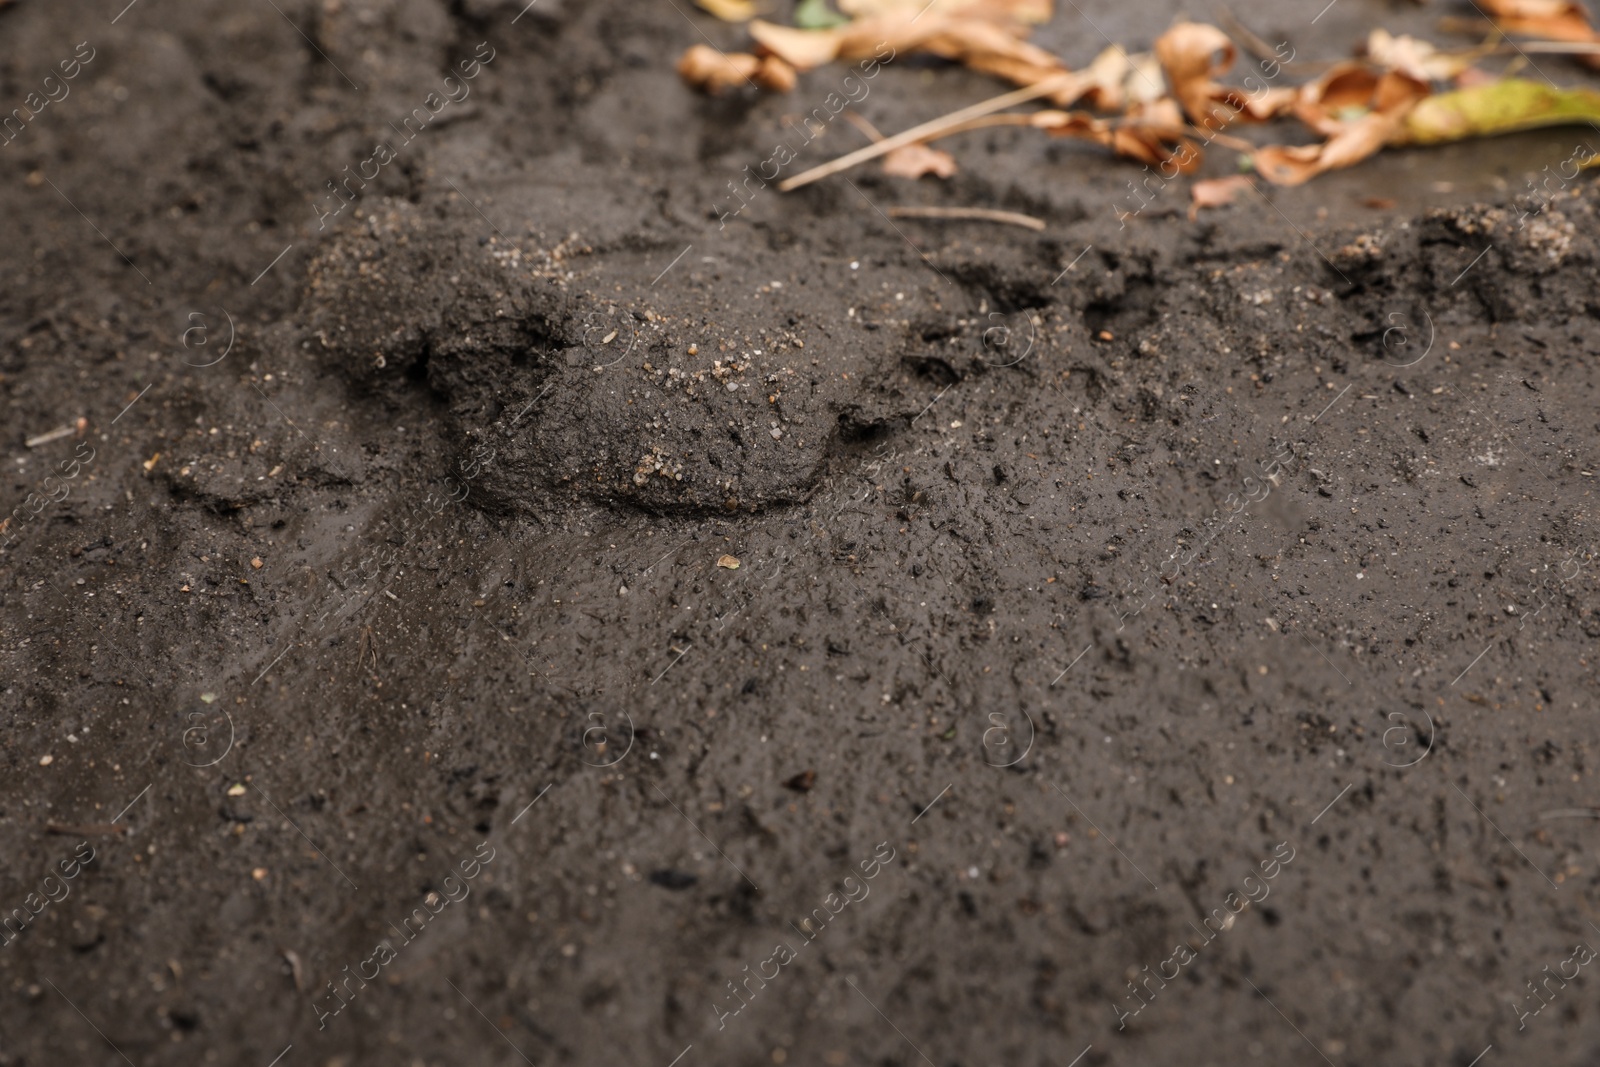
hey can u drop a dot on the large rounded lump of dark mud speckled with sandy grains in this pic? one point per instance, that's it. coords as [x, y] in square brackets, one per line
[591, 372]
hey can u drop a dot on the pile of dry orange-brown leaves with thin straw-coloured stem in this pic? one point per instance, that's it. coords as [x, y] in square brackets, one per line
[1167, 106]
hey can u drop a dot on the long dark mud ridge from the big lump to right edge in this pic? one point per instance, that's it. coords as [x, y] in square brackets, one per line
[583, 377]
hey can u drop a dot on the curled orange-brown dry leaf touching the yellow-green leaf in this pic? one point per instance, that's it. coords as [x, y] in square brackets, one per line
[1390, 100]
